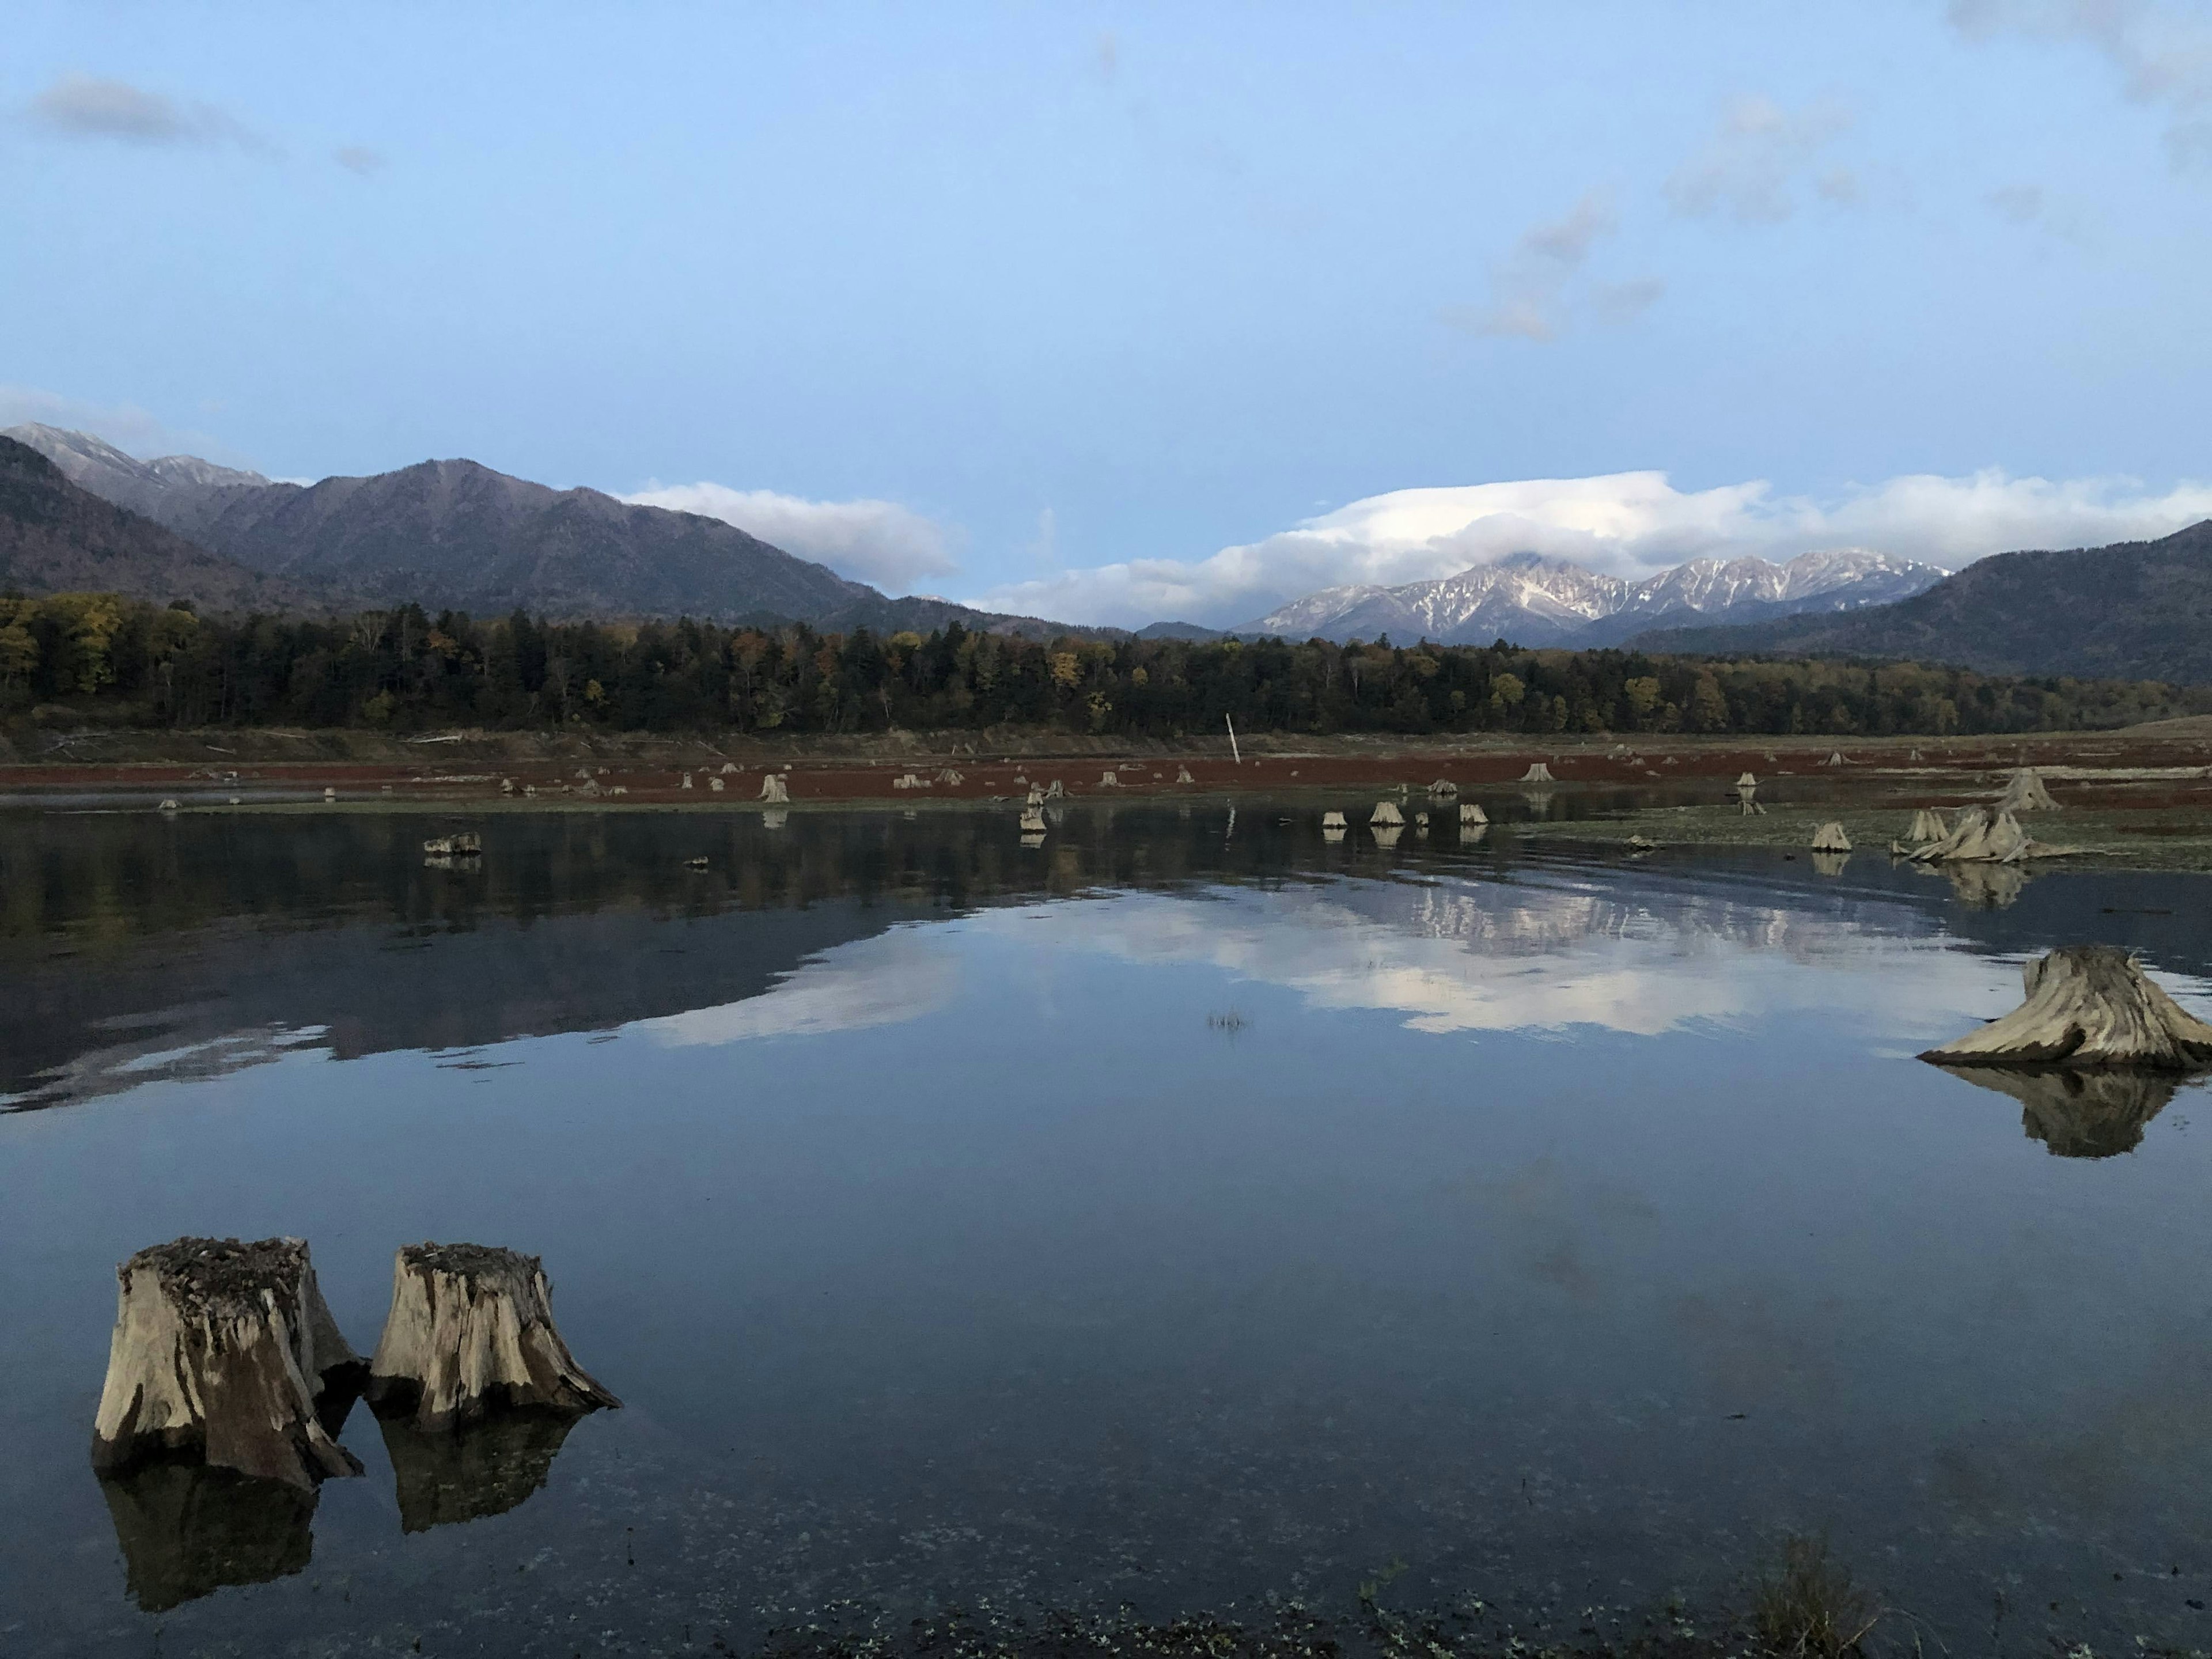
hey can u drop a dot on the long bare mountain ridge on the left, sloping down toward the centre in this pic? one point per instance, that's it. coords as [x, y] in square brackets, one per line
[466, 536]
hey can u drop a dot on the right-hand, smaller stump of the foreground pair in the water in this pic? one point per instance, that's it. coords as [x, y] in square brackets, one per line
[470, 1331]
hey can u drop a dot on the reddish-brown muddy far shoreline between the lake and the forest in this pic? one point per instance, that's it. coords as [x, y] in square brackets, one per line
[2129, 800]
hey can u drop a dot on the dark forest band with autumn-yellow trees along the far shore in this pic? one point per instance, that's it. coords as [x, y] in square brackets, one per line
[96, 656]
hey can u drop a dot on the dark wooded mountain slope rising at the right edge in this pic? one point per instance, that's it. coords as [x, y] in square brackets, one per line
[2129, 612]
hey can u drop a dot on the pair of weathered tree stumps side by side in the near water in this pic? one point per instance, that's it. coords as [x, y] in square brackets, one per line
[229, 1350]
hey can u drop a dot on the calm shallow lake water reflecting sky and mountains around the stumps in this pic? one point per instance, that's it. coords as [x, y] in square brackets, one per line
[1171, 1213]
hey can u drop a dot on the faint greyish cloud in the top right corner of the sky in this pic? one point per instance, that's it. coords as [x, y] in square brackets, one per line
[2162, 52]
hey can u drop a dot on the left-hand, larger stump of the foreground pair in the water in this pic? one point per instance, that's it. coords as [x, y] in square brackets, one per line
[227, 1350]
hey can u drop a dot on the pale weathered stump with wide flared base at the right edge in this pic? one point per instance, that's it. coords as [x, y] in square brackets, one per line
[2089, 1005]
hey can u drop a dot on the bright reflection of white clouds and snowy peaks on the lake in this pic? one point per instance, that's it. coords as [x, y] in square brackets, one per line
[1541, 954]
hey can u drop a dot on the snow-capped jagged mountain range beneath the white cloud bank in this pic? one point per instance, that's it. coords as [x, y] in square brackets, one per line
[1534, 601]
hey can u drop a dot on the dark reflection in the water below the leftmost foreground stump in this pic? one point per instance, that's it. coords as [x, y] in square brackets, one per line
[189, 1530]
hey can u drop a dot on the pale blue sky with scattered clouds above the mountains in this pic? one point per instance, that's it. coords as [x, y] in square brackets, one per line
[1058, 304]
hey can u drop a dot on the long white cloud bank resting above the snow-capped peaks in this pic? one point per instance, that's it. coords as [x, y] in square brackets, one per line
[1620, 523]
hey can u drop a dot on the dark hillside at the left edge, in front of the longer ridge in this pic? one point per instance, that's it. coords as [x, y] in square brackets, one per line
[61, 539]
